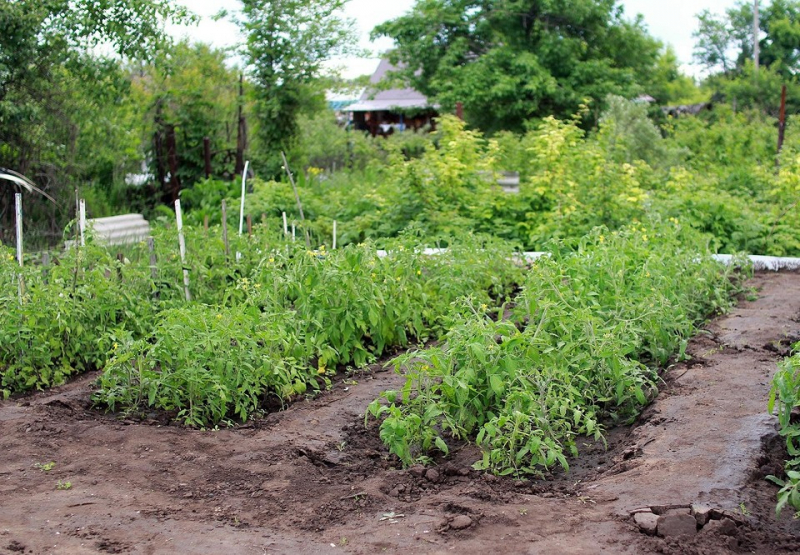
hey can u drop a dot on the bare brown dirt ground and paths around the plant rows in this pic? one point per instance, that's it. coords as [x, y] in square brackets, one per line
[312, 479]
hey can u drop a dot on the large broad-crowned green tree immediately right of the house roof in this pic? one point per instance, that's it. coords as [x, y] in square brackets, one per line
[513, 61]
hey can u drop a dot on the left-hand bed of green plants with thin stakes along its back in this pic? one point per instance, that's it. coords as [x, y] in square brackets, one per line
[276, 321]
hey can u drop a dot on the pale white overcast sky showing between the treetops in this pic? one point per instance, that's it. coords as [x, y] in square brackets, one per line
[671, 21]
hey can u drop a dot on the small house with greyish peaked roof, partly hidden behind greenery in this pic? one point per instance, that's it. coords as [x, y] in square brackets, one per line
[383, 112]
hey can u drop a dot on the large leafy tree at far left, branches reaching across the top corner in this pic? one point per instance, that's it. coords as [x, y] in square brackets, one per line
[52, 86]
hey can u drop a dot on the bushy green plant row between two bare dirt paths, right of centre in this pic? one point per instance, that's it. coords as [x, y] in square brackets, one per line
[588, 329]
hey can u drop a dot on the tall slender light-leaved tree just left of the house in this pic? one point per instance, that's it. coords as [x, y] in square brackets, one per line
[287, 43]
